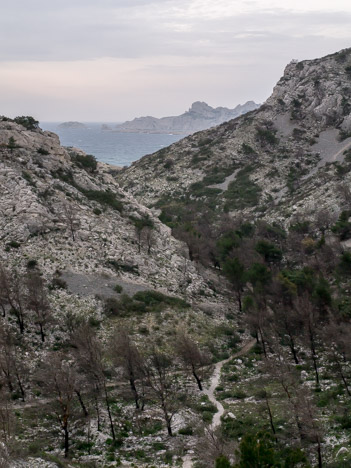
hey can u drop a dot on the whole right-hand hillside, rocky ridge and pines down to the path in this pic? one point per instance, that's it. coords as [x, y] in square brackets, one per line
[265, 198]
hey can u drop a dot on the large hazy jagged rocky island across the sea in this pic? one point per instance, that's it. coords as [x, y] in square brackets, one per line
[200, 116]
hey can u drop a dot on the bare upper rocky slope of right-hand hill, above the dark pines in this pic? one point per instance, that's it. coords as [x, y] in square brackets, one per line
[288, 156]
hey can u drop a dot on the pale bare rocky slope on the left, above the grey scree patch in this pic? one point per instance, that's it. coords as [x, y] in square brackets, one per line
[72, 216]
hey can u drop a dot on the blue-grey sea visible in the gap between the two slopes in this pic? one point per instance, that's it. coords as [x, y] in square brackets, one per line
[120, 149]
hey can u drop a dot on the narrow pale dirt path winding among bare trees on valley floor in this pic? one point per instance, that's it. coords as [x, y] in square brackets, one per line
[210, 392]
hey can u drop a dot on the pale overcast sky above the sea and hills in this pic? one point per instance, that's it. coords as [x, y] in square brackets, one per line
[113, 60]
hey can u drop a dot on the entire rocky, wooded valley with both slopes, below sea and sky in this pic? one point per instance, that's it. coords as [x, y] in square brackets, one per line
[191, 310]
